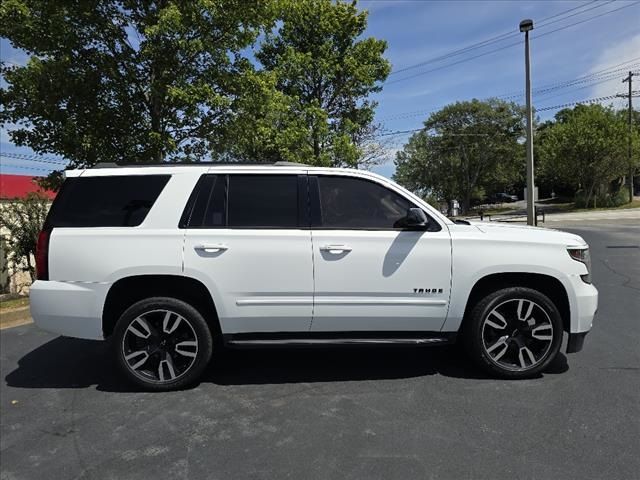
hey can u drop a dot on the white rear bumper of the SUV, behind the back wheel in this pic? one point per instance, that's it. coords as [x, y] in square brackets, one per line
[70, 309]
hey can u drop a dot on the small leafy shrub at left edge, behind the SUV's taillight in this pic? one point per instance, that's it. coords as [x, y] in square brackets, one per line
[21, 222]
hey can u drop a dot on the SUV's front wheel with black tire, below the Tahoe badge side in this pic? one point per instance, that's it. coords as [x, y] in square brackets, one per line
[514, 333]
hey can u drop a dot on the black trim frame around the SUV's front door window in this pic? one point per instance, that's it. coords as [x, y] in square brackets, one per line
[316, 211]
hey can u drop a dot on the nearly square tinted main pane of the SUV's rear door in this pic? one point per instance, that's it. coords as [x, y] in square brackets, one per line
[263, 201]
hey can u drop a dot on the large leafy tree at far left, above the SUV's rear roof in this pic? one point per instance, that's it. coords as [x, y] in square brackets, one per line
[128, 80]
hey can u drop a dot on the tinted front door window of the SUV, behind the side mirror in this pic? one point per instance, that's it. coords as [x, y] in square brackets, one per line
[357, 203]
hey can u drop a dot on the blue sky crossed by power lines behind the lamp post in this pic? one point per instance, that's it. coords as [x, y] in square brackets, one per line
[419, 30]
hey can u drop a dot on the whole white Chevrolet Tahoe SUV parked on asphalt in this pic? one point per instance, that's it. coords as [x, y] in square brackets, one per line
[170, 262]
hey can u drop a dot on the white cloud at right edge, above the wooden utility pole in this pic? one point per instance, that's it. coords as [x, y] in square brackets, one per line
[613, 55]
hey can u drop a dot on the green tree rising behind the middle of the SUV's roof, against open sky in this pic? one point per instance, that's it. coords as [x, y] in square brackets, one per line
[327, 73]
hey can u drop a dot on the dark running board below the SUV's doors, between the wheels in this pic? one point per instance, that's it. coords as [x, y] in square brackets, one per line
[232, 341]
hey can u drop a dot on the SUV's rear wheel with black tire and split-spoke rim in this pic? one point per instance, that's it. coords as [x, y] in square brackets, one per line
[162, 344]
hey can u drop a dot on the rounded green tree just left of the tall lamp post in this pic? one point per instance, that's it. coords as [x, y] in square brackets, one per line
[464, 149]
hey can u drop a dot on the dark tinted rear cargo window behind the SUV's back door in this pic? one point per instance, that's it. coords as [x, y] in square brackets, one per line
[118, 201]
